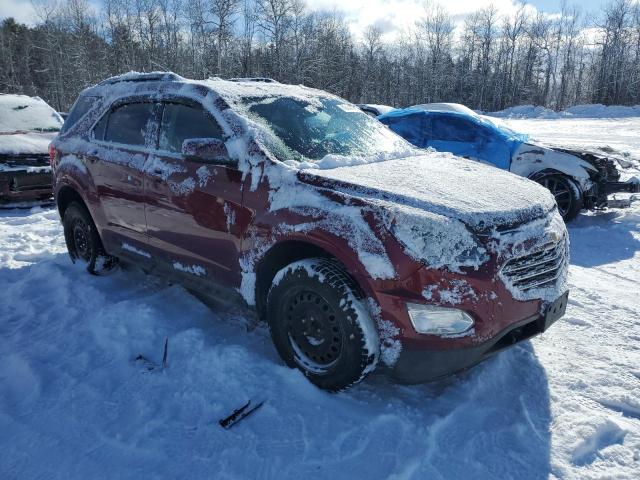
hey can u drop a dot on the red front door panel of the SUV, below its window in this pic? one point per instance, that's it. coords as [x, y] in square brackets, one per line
[195, 216]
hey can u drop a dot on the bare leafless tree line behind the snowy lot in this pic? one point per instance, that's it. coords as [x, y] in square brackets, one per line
[489, 62]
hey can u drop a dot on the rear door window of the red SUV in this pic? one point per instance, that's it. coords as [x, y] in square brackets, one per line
[125, 124]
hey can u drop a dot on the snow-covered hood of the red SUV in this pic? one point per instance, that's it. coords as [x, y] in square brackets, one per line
[481, 196]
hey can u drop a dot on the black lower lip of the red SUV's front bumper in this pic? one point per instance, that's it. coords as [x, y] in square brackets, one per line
[419, 365]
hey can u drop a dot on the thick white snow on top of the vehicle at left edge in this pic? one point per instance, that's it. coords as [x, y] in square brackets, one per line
[21, 112]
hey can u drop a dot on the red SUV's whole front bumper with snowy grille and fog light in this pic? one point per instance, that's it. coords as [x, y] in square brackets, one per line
[516, 294]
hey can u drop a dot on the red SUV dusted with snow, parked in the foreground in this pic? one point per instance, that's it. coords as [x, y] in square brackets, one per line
[358, 250]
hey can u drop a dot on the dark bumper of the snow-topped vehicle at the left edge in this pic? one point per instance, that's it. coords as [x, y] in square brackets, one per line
[21, 185]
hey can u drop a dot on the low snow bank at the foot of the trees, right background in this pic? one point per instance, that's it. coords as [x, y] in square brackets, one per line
[577, 111]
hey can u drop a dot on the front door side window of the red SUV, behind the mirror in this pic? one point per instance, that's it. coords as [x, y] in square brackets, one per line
[180, 121]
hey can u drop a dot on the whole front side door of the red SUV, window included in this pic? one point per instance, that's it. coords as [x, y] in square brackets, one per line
[193, 208]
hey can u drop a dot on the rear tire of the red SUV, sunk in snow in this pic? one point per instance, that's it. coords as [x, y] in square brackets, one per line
[83, 241]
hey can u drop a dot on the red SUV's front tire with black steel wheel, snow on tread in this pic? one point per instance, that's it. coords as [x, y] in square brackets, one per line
[320, 325]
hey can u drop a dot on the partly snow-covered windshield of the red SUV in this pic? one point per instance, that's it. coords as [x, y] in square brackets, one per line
[310, 131]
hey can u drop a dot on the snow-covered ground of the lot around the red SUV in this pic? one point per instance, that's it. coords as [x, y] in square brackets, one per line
[75, 404]
